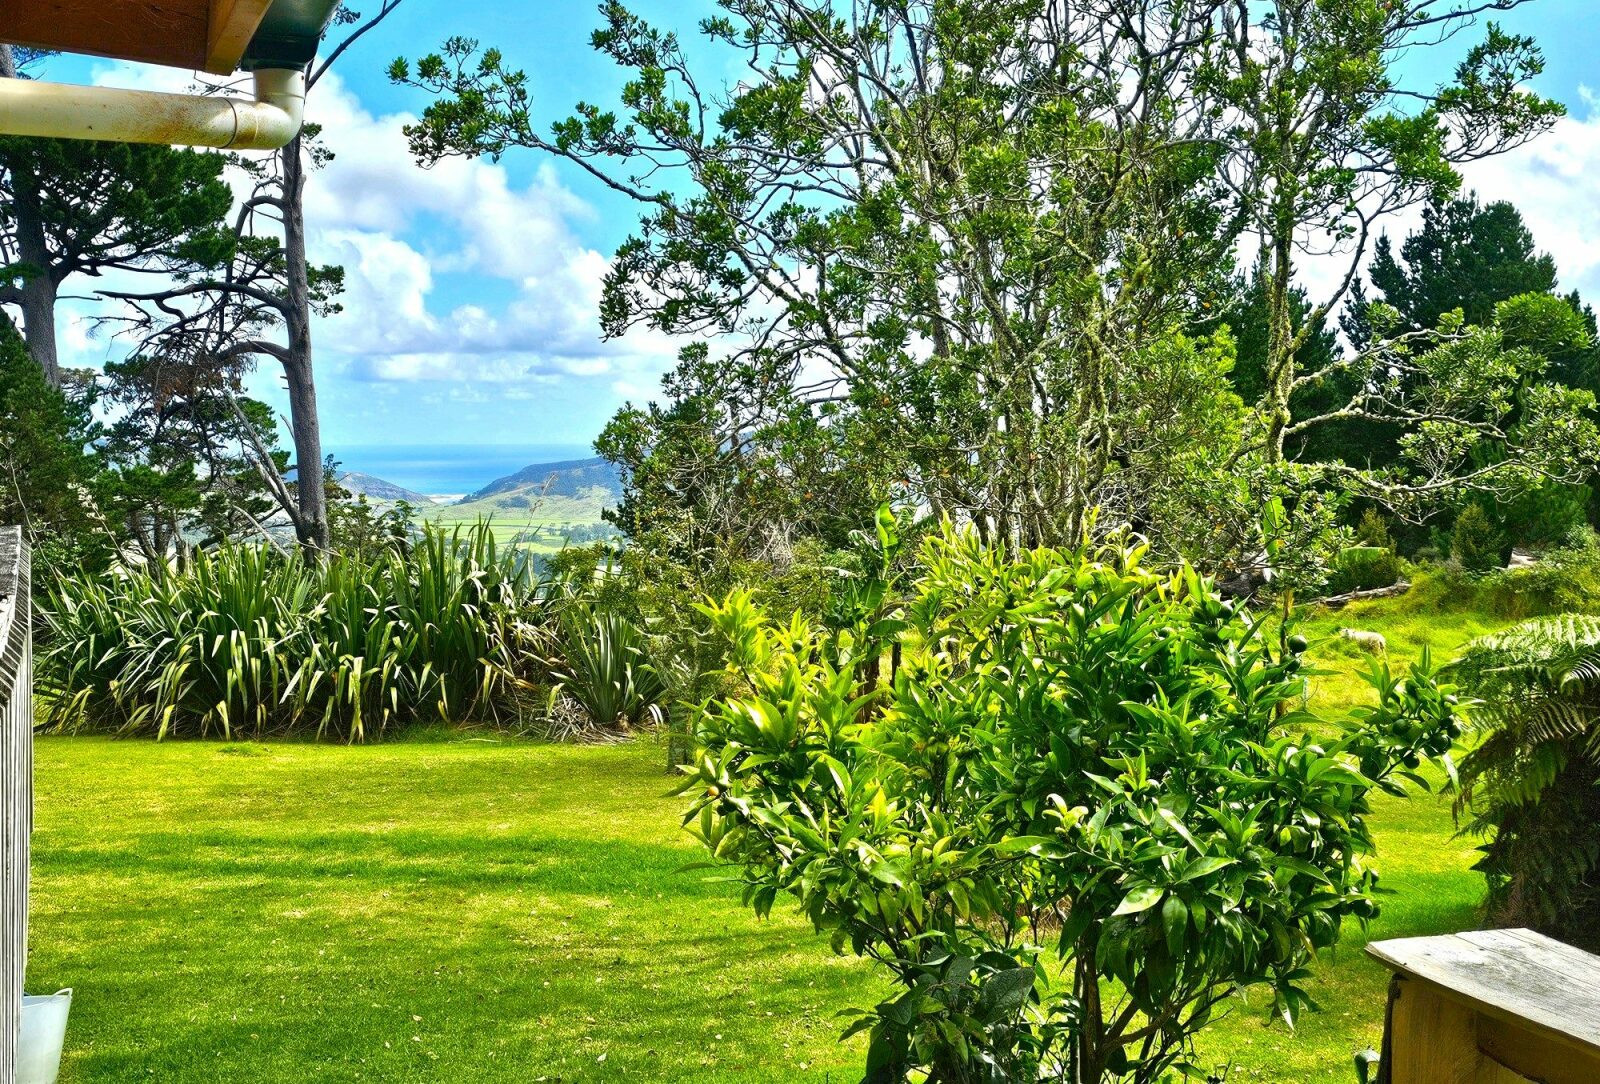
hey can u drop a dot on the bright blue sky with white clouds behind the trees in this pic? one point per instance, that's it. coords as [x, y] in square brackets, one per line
[470, 316]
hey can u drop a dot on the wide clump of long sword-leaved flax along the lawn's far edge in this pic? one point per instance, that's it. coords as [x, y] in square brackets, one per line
[249, 644]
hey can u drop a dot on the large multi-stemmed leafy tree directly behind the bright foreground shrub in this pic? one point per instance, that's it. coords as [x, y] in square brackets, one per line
[906, 370]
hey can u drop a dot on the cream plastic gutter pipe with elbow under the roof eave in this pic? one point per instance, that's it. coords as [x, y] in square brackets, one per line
[62, 111]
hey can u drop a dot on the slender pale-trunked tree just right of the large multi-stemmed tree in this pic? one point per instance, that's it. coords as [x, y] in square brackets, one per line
[1337, 68]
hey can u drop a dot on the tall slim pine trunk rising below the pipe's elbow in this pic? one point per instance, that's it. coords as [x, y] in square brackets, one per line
[311, 525]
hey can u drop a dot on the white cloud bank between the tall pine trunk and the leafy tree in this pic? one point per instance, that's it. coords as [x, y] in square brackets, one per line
[454, 273]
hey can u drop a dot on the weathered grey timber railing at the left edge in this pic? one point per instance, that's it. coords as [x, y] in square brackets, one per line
[17, 786]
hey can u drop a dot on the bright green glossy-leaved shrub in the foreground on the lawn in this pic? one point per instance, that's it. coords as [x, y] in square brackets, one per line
[1079, 819]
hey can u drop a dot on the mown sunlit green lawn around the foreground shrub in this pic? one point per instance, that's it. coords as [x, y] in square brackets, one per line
[492, 912]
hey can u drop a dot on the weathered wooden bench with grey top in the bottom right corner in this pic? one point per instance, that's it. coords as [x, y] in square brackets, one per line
[1490, 1008]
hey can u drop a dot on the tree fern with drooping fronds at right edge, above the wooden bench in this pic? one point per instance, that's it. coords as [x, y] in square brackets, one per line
[1532, 783]
